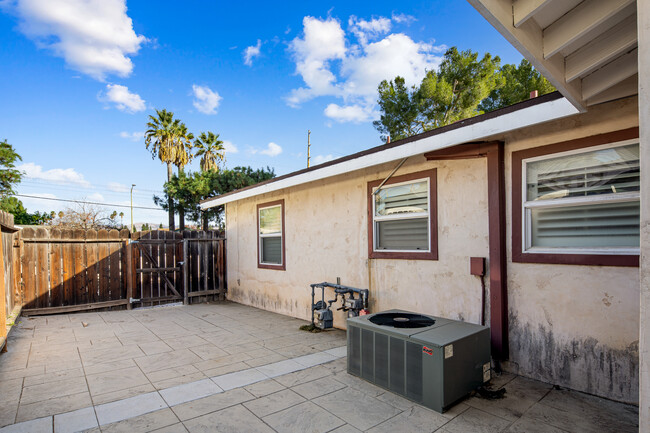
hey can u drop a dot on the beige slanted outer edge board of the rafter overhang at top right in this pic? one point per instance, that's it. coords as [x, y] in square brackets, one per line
[528, 40]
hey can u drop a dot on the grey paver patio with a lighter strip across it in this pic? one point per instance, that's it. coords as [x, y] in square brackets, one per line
[228, 367]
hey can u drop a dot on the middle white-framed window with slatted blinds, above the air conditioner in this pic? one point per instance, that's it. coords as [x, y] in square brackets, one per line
[401, 217]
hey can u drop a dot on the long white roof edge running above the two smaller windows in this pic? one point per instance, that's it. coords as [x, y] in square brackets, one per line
[528, 113]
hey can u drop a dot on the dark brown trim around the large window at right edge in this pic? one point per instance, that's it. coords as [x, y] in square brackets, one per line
[518, 255]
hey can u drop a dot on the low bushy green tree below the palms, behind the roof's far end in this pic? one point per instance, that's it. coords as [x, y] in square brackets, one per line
[191, 188]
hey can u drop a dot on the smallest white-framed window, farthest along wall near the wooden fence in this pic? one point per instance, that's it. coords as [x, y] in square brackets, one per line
[270, 227]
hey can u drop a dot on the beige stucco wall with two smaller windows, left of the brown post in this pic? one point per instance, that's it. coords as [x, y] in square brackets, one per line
[326, 238]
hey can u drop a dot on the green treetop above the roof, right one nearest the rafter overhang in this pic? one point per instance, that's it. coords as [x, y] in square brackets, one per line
[519, 81]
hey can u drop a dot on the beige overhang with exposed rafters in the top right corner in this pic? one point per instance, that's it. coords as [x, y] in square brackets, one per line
[586, 49]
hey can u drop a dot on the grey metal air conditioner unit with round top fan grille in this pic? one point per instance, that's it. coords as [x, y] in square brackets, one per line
[430, 360]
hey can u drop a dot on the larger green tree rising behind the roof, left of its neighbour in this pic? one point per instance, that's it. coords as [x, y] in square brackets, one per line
[452, 93]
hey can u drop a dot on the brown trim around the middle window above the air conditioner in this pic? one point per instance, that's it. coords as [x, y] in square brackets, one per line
[433, 218]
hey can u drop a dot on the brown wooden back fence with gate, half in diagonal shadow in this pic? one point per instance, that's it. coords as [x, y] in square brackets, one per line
[72, 270]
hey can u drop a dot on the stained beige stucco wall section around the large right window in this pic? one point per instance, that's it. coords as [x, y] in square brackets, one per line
[576, 326]
